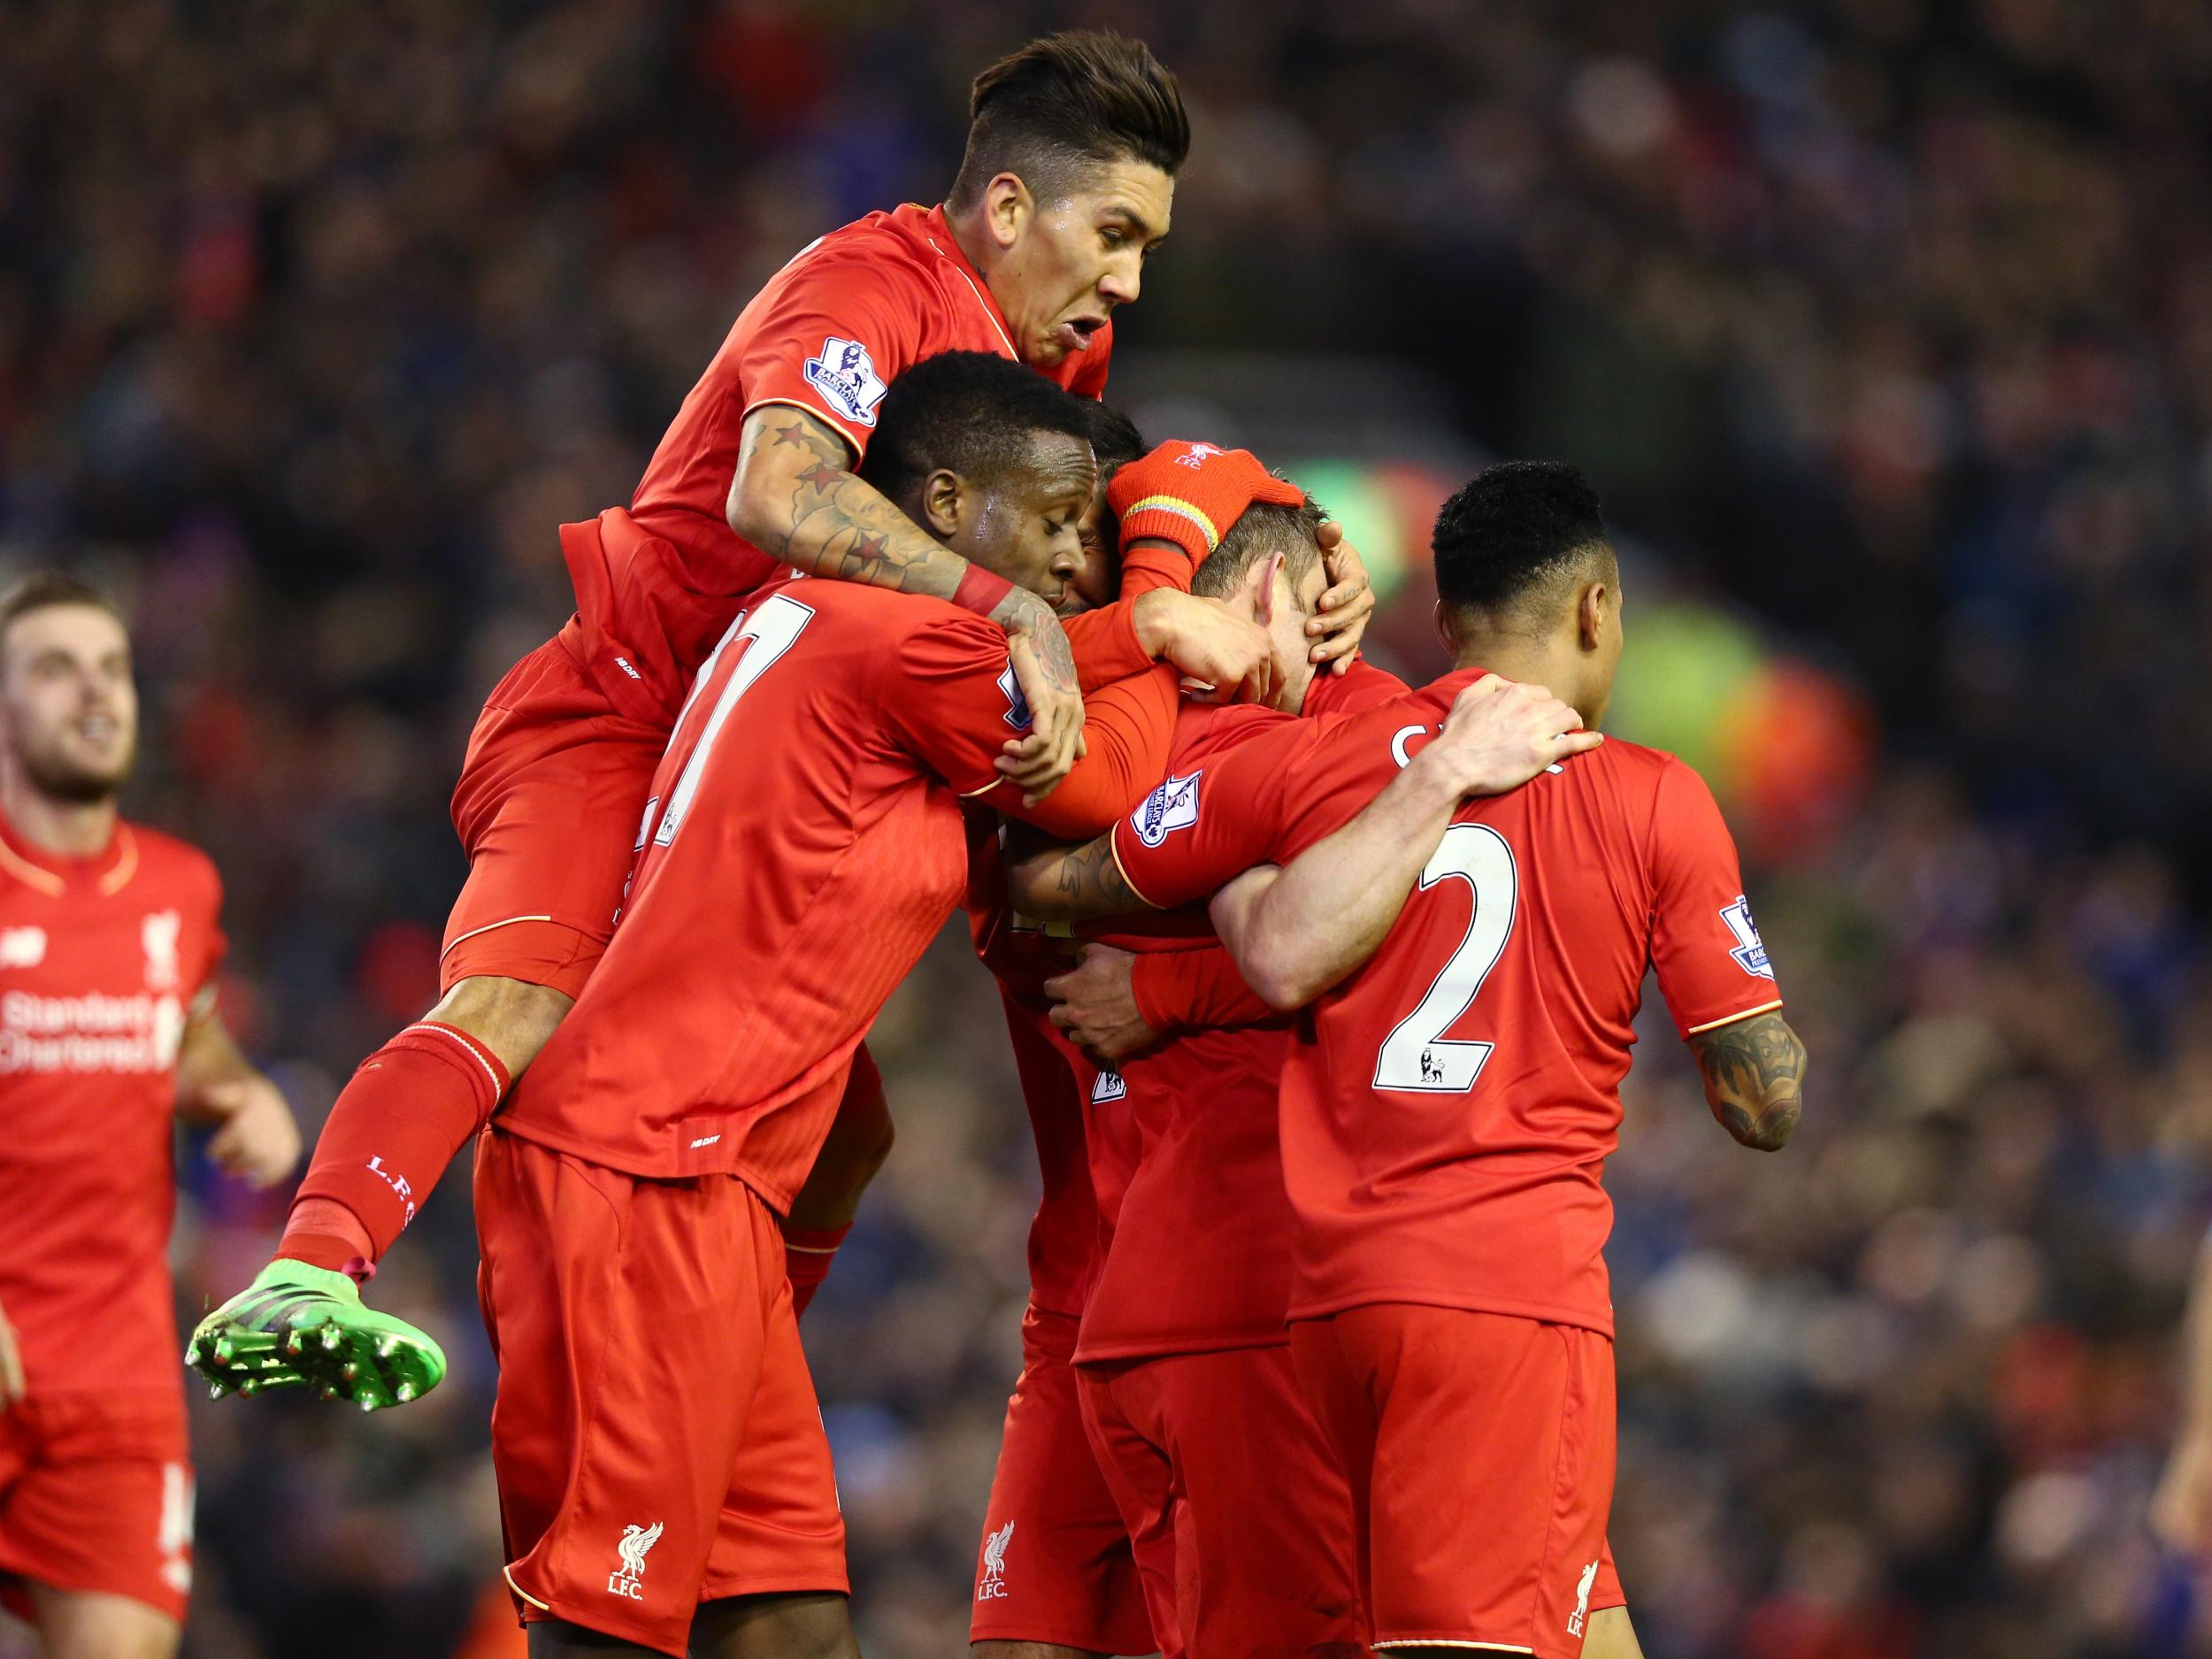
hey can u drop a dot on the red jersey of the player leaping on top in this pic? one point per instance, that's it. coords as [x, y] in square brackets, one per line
[828, 333]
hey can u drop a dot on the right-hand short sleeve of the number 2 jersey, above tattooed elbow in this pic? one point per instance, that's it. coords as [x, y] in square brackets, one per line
[1707, 950]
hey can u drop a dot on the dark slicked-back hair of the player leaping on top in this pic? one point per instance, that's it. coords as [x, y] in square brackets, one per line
[1070, 101]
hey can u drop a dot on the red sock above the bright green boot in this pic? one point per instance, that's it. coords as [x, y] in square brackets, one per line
[390, 1136]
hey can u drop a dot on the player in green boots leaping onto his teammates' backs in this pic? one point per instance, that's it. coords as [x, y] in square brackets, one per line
[1065, 191]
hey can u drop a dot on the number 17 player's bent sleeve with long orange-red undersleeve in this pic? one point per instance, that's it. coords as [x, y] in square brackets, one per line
[954, 702]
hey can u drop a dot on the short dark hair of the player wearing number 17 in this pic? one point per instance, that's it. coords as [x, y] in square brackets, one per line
[970, 413]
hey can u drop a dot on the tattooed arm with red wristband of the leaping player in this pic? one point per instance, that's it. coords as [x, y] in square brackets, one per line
[797, 499]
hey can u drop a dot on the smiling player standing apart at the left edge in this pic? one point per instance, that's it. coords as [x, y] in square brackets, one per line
[109, 943]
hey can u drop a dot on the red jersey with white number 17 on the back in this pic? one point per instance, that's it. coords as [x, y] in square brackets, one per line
[800, 851]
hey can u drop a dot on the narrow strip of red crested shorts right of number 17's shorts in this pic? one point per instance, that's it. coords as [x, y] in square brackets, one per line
[1056, 1565]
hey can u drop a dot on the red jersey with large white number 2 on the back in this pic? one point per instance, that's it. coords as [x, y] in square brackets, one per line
[1448, 1109]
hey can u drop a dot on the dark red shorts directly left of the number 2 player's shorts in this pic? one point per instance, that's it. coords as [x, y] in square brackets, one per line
[1224, 1477]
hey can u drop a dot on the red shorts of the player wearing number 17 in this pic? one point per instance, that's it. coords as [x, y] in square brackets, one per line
[656, 1432]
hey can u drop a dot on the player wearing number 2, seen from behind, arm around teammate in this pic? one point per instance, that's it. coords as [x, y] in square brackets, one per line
[1474, 970]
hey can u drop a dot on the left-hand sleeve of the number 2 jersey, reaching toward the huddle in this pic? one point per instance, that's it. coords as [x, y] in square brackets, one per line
[1211, 824]
